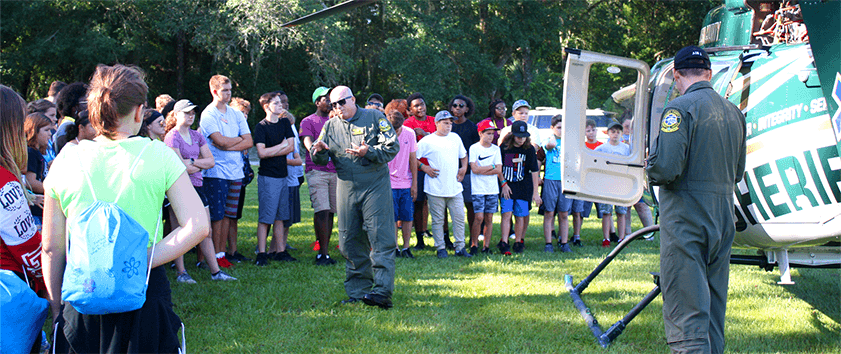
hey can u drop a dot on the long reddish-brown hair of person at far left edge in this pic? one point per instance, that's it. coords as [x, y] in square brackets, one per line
[12, 142]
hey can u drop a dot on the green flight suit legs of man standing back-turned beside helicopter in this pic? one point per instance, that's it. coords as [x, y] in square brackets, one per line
[696, 235]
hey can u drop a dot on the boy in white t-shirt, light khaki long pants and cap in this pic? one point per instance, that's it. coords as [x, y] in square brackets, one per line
[444, 152]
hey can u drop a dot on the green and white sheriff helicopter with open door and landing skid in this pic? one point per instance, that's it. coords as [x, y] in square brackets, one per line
[786, 81]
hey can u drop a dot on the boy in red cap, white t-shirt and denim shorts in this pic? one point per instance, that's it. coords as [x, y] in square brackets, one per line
[486, 165]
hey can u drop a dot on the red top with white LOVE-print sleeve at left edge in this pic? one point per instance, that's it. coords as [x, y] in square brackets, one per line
[20, 241]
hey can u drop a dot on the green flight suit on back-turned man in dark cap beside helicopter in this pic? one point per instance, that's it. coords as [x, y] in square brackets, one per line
[696, 160]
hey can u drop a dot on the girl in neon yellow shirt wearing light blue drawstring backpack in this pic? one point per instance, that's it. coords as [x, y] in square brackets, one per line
[134, 173]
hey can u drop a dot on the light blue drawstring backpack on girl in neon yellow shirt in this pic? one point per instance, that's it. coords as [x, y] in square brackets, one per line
[106, 256]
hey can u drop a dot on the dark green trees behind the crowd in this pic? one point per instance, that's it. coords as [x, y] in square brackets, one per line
[484, 49]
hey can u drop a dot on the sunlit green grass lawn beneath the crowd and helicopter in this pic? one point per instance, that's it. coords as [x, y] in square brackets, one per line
[486, 304]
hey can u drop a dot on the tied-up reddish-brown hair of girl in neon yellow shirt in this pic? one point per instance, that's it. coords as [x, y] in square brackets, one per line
[114, 92]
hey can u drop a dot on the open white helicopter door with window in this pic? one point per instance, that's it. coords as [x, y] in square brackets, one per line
[595, 175]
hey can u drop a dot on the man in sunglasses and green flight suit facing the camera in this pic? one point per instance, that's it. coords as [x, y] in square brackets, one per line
[360, 143]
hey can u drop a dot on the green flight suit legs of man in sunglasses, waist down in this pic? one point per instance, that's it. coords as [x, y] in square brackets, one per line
[366, 234]
